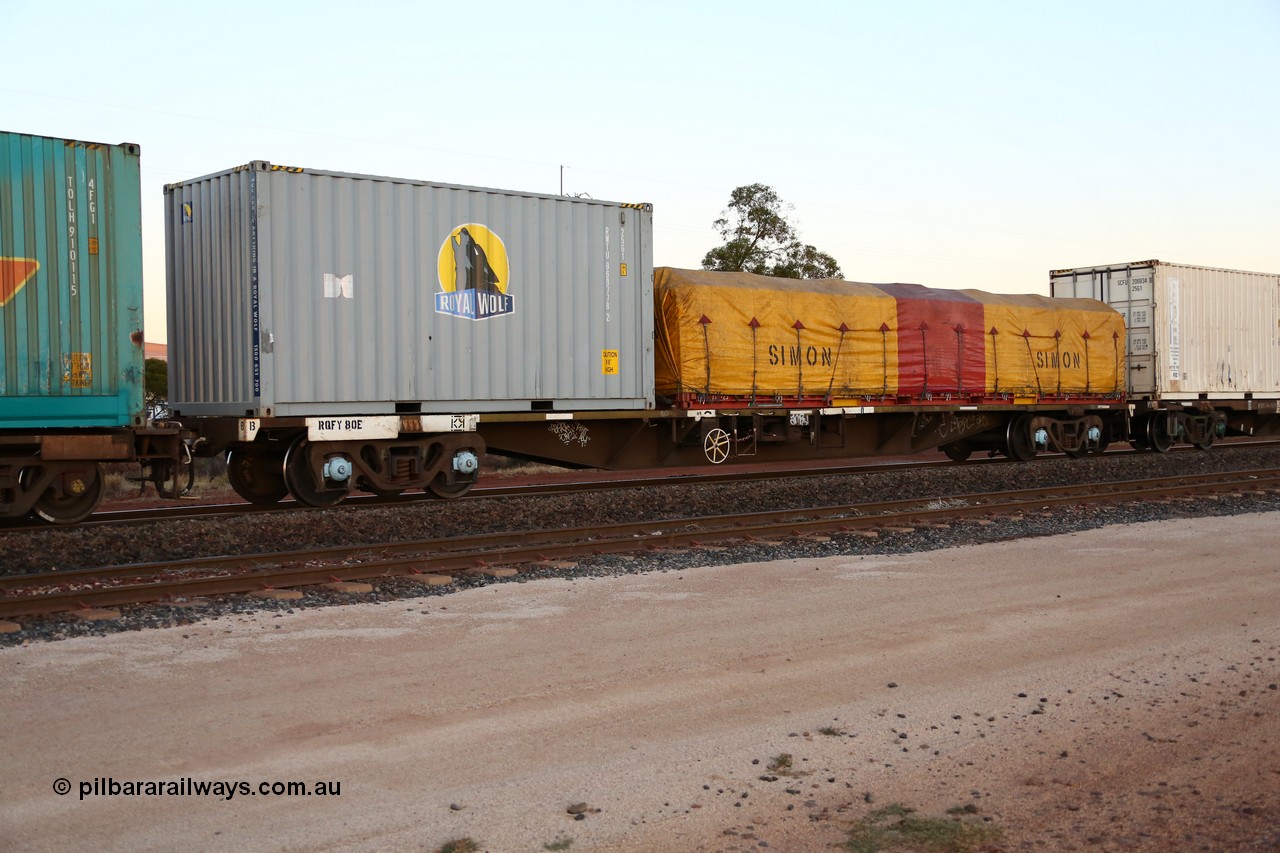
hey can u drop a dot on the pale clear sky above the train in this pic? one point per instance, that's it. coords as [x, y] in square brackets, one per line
[968, 145]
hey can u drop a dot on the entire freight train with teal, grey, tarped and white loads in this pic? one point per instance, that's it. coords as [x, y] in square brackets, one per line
[333, 332]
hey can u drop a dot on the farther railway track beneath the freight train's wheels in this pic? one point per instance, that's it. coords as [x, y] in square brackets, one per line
[575, 483]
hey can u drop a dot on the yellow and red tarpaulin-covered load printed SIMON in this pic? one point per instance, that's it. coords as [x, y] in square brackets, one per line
[738, 339]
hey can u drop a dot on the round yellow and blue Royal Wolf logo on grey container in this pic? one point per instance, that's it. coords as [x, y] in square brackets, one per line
[474, 275]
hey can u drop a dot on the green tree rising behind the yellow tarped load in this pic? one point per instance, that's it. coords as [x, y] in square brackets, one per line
[758, 239]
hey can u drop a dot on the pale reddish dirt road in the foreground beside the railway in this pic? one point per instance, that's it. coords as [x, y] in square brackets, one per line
[1104, 691]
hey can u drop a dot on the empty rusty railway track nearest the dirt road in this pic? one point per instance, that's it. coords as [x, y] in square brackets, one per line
[436, 562]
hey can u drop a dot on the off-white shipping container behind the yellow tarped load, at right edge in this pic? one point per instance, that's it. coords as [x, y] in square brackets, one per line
[1194, 332]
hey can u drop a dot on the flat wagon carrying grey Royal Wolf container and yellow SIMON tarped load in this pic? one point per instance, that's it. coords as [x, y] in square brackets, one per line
[337, 332]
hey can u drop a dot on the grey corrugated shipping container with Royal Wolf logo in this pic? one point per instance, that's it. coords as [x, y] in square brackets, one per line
[299, 293]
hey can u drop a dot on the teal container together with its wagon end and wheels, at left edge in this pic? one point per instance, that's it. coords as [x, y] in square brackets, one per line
[71, 325]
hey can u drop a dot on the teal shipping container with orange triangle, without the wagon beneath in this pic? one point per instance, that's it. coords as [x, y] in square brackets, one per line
[71, 284]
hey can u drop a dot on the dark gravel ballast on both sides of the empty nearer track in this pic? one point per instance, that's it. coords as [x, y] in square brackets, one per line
[86, 548]
